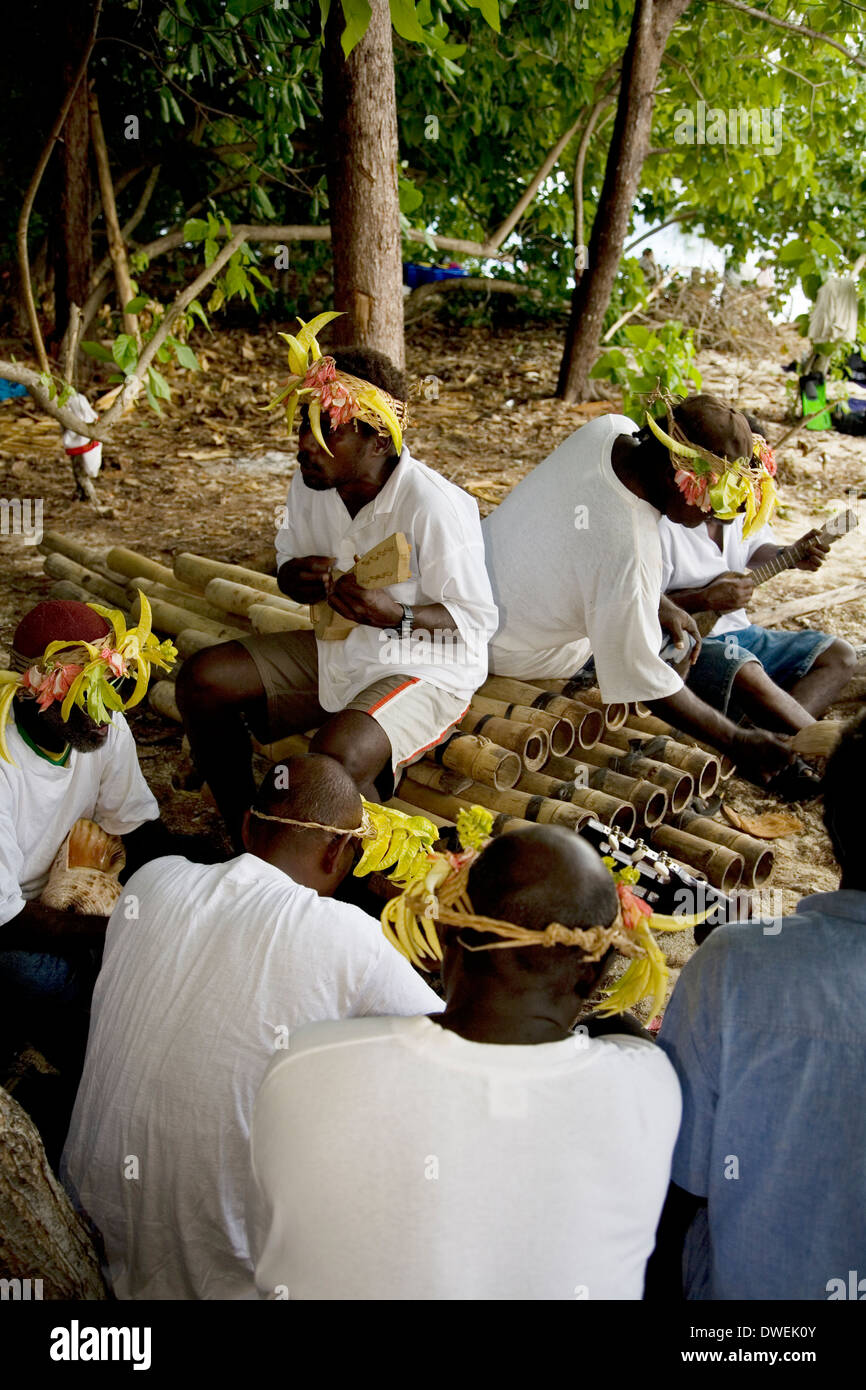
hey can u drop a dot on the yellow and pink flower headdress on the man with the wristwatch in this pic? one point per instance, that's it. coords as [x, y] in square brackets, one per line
[318, 384]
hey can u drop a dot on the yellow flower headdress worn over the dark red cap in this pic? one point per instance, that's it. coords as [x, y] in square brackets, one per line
[87, 673]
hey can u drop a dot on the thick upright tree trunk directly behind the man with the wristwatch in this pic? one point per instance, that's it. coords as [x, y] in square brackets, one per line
[361, 111]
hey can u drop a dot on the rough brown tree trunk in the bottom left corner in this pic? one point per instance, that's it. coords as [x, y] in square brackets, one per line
[44, 1243]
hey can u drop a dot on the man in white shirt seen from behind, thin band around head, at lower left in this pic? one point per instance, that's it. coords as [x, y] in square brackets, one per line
[201, 986]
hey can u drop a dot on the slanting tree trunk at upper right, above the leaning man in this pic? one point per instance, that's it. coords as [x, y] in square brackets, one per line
[651, 28]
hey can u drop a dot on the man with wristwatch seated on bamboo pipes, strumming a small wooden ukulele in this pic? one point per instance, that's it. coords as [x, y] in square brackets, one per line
[405, 675]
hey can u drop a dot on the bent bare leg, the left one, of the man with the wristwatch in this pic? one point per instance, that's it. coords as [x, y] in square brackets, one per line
[216, 690]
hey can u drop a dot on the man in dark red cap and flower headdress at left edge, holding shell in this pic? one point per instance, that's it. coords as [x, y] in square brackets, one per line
[66, 754]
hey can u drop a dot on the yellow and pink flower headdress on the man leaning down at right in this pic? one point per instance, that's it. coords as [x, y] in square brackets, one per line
[715, 484]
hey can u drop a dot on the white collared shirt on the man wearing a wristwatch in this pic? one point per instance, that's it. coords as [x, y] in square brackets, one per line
[443, 526]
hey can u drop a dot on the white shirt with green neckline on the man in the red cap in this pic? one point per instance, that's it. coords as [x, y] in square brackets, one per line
[41, 801]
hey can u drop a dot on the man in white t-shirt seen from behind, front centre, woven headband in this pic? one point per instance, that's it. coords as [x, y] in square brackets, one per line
[486, 1153]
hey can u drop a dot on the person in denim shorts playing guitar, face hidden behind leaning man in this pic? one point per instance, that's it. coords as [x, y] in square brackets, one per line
[781, 680]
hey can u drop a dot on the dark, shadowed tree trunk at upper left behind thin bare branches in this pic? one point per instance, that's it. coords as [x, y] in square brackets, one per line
[73, 268]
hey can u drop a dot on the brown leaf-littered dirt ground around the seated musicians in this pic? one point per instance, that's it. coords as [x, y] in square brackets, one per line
[212, 475]
